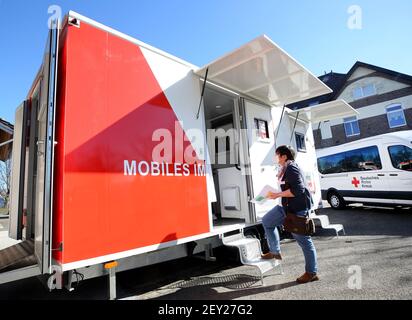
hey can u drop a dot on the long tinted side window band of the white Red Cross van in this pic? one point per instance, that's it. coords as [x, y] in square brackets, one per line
[350, 161]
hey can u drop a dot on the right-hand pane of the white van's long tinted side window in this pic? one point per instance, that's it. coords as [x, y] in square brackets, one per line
[363, 159]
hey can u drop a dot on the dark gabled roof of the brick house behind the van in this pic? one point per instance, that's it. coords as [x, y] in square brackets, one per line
[337, 81]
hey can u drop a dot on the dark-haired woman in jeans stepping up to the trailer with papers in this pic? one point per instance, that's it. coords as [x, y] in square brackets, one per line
[296, 199]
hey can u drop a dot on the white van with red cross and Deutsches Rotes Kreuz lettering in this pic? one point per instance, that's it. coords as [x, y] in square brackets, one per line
[373, 171]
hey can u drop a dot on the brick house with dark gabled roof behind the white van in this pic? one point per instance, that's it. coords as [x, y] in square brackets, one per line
[382, 97]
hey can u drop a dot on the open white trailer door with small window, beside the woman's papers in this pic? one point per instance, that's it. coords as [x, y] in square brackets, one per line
[261, 150]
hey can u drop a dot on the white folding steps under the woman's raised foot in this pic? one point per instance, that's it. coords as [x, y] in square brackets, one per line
[250, 253]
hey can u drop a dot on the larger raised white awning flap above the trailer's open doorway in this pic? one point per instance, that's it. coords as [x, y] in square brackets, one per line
[262, 70]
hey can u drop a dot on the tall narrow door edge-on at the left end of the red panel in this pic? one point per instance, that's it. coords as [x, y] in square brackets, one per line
[45, 154]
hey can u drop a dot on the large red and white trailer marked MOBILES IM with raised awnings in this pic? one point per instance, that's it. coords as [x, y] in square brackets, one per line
[110, 161]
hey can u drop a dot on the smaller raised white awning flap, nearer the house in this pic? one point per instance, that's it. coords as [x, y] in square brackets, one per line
[326, 111]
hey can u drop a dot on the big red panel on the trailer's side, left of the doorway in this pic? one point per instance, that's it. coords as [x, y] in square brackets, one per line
[109, 105]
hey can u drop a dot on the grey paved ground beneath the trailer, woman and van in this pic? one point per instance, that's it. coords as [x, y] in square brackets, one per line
[376, 255]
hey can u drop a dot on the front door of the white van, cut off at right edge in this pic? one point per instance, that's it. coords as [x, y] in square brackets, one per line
[399, 170]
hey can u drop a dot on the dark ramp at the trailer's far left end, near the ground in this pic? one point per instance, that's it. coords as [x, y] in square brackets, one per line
[18, 256]
